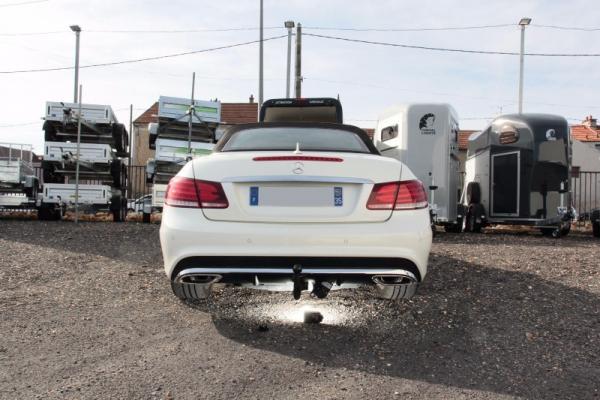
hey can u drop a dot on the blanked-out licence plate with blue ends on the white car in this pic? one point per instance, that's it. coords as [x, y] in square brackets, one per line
[294, 196]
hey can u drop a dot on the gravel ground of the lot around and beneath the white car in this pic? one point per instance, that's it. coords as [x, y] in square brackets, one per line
[88, 313]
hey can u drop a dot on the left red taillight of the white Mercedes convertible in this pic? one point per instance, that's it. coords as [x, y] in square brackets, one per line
[193, 193]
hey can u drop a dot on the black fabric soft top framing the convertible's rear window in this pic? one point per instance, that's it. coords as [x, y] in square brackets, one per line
[316, 125]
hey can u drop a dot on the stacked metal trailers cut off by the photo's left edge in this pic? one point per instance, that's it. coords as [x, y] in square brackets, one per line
[18, 183]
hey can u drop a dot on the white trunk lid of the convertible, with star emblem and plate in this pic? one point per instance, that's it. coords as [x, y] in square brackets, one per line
[283, 187]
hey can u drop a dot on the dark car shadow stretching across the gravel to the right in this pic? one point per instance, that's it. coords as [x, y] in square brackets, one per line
[470, 326]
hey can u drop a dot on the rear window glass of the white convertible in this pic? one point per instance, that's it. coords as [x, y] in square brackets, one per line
[285, 138]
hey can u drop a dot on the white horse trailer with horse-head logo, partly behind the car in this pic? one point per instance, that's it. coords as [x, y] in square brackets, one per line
[425, 138]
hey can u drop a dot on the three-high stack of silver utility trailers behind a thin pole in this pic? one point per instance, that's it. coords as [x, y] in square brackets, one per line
[102, 171]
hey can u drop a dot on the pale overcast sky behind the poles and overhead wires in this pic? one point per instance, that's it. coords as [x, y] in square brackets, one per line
[368, 78]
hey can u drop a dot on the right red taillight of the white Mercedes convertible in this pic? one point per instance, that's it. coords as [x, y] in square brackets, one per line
[404, 195]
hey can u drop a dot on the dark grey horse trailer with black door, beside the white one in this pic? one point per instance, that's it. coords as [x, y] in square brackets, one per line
[517, 172]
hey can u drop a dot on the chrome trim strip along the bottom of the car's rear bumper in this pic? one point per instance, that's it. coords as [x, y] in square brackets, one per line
[312, 271]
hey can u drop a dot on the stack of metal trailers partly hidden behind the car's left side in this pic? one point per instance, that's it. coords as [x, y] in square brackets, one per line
[183, 131]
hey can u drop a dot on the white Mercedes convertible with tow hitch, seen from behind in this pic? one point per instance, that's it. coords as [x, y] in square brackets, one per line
[295, 206]
